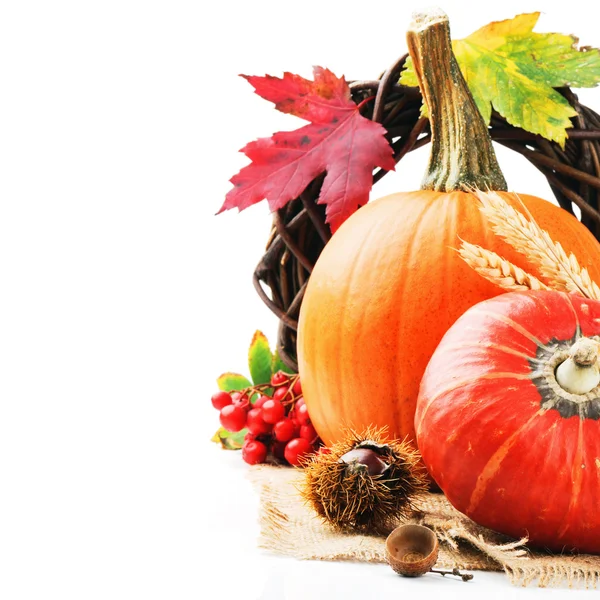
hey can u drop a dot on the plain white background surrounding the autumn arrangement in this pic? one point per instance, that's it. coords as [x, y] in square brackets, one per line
[122, 296]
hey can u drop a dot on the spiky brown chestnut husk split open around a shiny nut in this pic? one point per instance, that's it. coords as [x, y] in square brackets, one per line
[365, 483]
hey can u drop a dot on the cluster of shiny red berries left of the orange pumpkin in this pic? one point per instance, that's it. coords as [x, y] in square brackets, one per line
[279, 428]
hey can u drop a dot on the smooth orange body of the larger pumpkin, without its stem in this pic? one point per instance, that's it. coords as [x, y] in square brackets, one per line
[386, 288]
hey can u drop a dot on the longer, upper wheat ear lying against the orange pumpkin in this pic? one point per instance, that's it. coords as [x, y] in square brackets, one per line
[562, 272]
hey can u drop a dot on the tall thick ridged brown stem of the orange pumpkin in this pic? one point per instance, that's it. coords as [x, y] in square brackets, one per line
[462, 156]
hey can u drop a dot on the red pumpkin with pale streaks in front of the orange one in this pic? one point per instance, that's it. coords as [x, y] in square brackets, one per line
[510, 446]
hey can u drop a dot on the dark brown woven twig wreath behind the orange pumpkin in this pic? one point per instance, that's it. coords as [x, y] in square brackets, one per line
[299, 232]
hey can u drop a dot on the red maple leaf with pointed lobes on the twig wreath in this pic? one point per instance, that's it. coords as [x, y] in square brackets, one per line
[339, 141]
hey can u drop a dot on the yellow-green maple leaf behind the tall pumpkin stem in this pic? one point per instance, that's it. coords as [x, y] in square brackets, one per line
[515, 71]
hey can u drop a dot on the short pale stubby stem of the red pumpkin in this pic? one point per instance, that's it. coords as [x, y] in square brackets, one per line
[579, 374]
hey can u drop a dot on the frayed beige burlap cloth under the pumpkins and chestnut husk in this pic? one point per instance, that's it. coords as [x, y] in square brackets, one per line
[289, 527]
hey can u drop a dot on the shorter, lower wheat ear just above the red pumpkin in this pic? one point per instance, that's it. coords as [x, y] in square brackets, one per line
[498, 270]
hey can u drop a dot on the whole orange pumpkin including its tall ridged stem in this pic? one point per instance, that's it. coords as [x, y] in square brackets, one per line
[390, 283]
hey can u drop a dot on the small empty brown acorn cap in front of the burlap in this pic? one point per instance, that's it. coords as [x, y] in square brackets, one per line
[411, 550]
